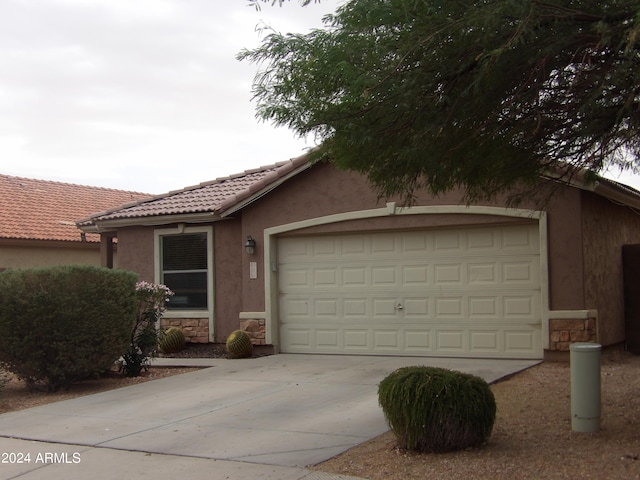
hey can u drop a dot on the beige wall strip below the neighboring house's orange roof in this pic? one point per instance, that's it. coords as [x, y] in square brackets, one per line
[48, 254]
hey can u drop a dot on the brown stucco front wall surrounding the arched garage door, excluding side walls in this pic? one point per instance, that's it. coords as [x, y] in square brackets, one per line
[323, 190]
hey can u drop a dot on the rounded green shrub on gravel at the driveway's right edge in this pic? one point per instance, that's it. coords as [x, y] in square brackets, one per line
[437, 410]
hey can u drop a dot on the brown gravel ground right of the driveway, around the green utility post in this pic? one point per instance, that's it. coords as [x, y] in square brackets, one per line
[532, 437]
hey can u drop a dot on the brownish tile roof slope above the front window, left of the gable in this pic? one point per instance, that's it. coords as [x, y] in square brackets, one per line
[214, 197]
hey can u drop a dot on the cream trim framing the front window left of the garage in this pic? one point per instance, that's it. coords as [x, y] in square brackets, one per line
[157, 252]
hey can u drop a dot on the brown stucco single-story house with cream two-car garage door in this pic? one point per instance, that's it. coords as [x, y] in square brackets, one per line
[308, 260]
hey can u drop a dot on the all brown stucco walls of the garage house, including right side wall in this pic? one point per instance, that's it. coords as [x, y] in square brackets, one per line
[578, 278]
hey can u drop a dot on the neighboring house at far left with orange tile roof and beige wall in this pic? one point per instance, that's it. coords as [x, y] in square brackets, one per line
[37, 221]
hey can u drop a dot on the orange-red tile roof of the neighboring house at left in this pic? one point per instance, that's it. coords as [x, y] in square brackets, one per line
[44, 210]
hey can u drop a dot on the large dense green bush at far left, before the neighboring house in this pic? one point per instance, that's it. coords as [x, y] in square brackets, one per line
[63, 324]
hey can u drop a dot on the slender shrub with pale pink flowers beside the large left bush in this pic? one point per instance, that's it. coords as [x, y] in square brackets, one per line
[152, 298]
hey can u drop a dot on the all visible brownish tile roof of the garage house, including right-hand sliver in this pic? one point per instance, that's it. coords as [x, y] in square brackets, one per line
[221, 197]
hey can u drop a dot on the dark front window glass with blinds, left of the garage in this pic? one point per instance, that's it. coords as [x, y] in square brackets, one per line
[183, 268]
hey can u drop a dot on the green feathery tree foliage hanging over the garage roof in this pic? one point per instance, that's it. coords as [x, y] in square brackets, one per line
[483, 95]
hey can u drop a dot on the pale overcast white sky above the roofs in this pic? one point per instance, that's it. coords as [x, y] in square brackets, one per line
[141, 95]
